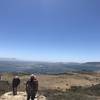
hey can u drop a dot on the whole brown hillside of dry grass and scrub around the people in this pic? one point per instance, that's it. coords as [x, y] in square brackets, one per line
[71, 86]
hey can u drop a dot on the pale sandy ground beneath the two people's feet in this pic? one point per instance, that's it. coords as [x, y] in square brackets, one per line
[20, 96]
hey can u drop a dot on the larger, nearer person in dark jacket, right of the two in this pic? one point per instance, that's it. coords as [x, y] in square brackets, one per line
[32, 87]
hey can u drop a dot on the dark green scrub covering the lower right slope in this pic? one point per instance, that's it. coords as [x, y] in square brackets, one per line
[75, 93]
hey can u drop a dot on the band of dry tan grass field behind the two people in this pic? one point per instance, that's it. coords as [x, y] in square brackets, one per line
[62, 82]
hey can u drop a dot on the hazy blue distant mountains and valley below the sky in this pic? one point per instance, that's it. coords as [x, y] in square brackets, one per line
[14, 65]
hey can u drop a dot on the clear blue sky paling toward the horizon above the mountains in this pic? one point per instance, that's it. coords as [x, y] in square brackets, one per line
[50, 30]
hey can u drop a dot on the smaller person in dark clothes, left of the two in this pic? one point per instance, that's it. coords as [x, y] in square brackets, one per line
[15, 83]
